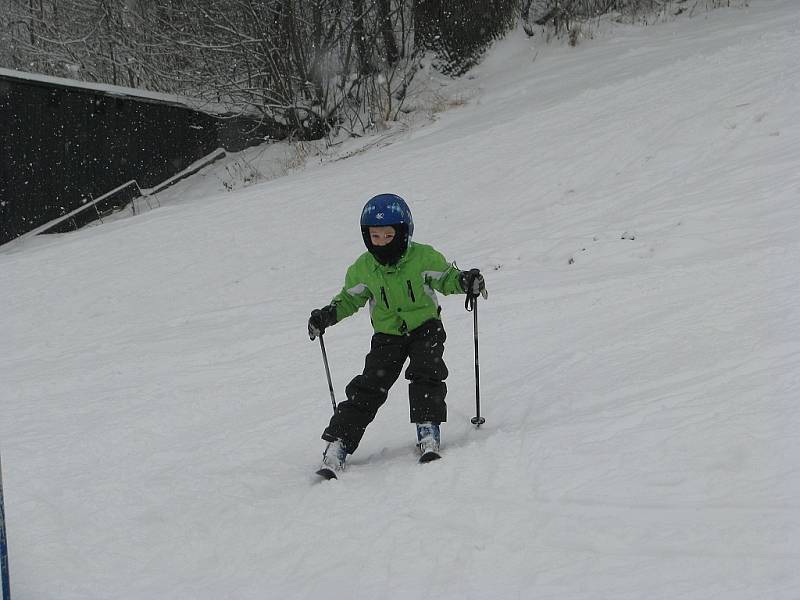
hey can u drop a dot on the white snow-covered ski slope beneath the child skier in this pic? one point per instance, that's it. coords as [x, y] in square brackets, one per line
[635, 204]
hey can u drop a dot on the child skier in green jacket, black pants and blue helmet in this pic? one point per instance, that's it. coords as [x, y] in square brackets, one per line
[399, 278]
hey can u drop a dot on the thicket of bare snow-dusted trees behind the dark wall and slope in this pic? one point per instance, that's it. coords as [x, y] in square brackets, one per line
[307, 68]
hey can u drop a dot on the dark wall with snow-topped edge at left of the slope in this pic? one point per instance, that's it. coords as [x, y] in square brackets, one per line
[61, 146]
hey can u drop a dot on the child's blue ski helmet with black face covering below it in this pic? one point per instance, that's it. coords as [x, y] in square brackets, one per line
[387, 210]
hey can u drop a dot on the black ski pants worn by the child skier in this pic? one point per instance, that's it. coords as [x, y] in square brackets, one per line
[367, 392]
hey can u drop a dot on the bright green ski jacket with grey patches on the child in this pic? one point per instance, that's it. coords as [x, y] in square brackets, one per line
[401, 297]
